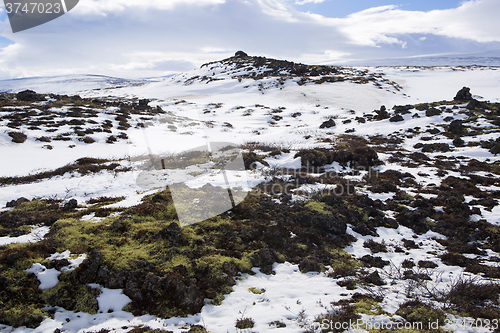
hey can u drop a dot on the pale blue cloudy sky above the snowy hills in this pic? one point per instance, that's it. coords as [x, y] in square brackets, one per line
[148, 38]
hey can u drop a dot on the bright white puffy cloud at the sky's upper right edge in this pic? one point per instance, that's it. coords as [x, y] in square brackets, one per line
[475, 20]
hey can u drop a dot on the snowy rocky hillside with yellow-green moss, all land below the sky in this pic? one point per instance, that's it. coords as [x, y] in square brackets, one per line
[352, 193]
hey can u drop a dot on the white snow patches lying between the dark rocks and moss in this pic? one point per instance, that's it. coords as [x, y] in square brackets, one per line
[238, 112]
